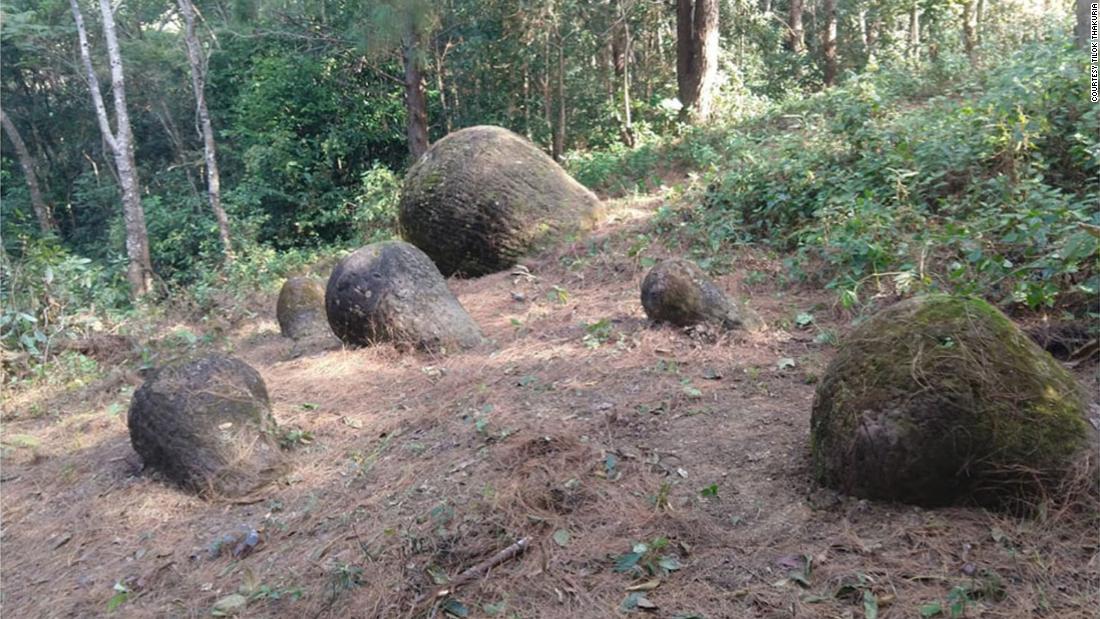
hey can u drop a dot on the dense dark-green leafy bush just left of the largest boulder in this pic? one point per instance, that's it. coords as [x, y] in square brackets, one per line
[312, 147]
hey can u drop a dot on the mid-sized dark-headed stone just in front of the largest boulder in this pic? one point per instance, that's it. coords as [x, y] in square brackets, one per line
[391, 292]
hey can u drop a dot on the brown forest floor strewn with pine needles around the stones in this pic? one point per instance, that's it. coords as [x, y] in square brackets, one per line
[585, 430]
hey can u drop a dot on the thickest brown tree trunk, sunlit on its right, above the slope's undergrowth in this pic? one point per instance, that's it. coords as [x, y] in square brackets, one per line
[697, 57]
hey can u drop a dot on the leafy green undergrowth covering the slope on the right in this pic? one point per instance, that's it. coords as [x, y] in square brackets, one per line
[984, 185]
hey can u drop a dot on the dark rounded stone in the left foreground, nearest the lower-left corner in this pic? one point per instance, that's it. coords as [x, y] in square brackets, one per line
[207, 425]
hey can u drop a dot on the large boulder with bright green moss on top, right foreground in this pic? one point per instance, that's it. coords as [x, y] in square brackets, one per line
[939, 400]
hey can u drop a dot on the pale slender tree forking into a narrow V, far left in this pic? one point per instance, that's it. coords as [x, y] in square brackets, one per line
[120, 142]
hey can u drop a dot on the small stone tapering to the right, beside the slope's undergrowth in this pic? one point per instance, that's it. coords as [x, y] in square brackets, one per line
[678, 292]
